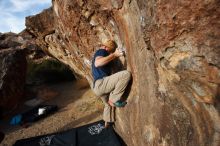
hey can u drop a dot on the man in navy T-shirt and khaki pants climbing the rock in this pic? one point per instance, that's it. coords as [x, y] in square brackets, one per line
[110, 87]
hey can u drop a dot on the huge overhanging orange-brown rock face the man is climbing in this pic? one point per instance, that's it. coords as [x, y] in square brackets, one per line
[172, 50]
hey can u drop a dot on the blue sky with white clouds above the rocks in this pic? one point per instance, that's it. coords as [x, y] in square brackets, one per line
[13, 13]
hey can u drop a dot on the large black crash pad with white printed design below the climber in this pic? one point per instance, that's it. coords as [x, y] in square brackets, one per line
[89, 135]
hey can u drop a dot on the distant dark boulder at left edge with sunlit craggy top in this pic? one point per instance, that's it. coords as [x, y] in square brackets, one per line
[14, 48]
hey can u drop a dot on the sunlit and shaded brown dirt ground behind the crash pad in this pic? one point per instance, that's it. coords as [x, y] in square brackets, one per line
[77, 106]
